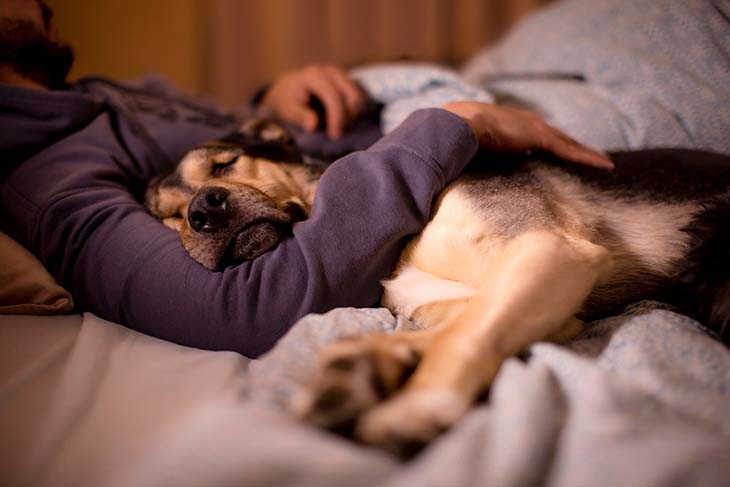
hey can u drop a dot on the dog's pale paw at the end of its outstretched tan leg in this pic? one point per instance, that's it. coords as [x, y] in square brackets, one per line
[411, 419]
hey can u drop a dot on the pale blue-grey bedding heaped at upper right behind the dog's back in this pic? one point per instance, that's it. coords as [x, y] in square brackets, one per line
[619, 74]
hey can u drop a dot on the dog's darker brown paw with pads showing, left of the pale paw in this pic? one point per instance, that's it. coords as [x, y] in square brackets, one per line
[354, 375]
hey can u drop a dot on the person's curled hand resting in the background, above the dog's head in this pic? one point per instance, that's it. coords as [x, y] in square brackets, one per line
[290, 95]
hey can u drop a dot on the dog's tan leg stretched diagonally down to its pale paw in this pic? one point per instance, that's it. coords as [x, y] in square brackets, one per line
[541, 280]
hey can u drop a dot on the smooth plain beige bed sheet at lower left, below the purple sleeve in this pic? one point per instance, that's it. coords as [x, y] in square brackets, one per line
[86, 401]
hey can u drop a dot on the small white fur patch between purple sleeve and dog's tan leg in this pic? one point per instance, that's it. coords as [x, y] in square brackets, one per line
[413, 288]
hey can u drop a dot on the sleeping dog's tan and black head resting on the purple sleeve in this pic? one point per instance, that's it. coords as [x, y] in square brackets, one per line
[234, 199]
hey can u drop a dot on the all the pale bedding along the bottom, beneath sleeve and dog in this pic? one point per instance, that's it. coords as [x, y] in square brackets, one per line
[640, 399]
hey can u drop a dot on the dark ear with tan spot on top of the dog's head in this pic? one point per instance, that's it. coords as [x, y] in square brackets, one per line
[262, 137]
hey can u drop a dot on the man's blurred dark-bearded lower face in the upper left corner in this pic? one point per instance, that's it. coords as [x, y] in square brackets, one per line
[29, 42]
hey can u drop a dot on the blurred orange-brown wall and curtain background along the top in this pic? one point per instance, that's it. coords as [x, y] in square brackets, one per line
[227, 48]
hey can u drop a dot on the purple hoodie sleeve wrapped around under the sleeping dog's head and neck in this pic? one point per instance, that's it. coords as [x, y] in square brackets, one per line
[123, 265]
